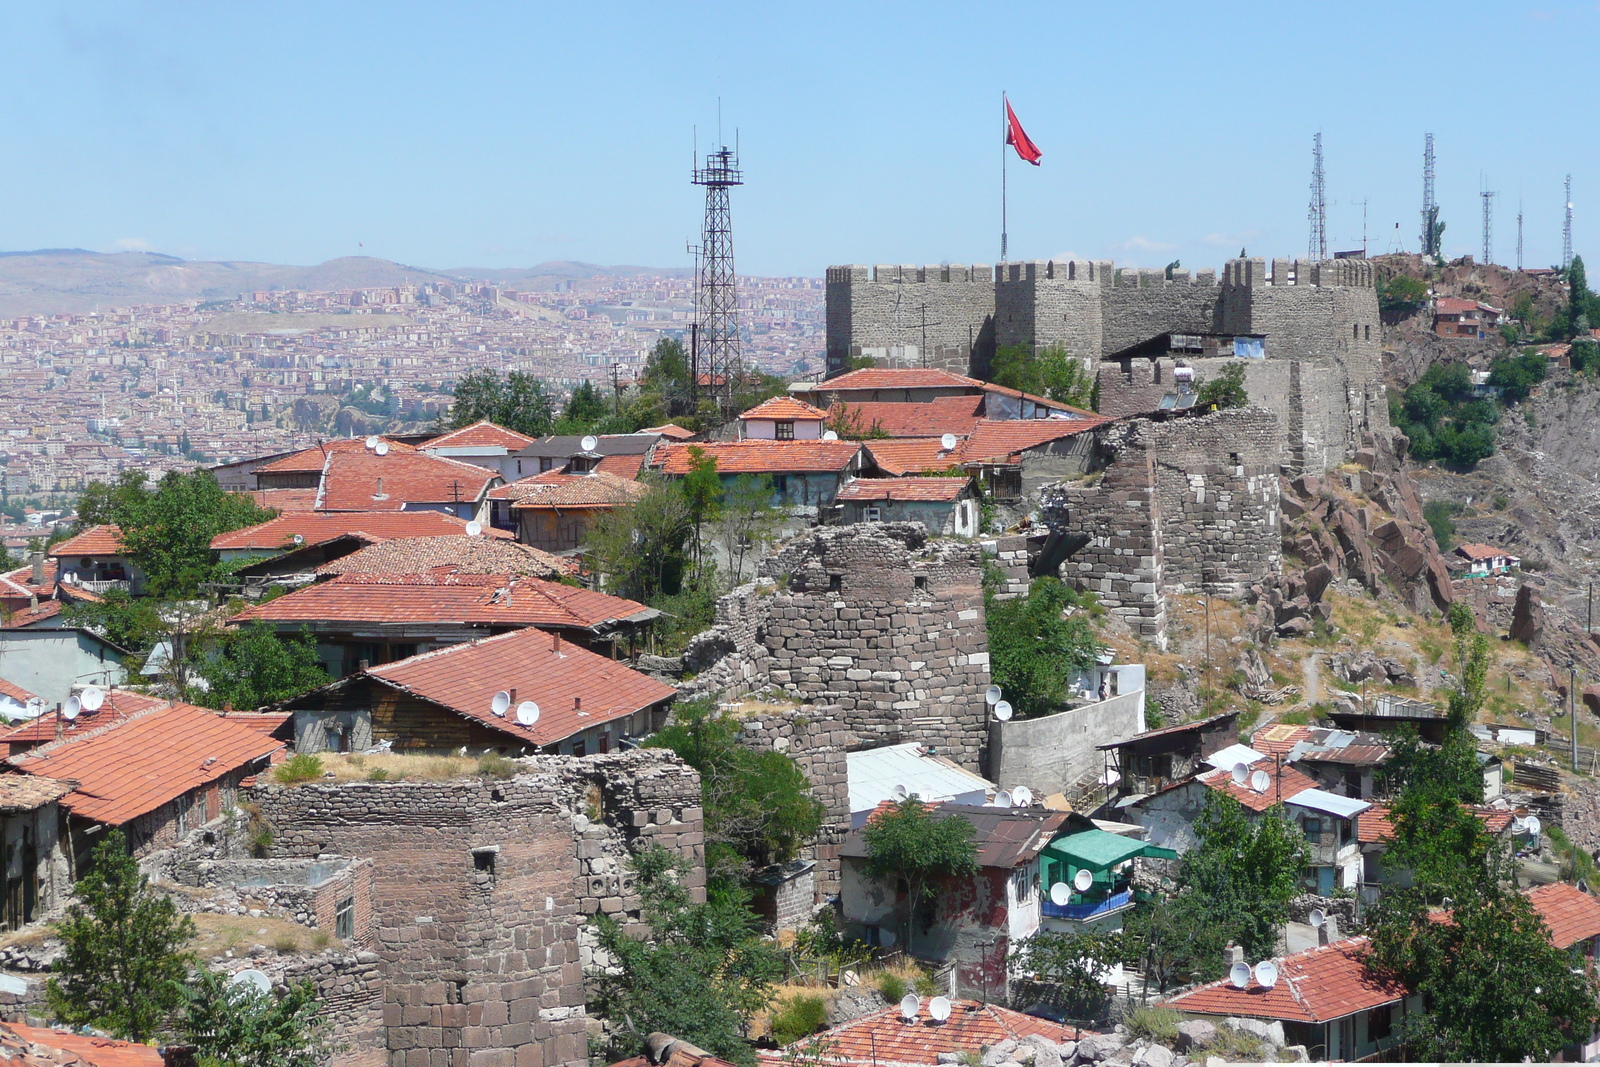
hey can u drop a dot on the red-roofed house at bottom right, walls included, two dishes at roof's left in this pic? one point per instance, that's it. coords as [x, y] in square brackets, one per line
[1326, 999]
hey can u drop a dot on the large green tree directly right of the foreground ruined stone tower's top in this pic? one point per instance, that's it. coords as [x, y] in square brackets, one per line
[759, 805]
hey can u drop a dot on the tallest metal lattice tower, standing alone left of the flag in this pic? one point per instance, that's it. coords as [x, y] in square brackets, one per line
[719, 287]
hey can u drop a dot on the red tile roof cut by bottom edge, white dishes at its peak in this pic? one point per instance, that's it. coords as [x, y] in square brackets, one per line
[886, 1037]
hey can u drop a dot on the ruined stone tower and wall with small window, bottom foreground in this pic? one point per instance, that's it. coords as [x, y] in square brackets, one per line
[482, 889]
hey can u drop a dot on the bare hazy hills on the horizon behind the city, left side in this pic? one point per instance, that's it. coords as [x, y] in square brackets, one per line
[52, 281]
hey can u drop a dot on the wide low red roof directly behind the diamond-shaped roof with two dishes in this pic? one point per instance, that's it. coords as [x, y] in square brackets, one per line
[450, 599]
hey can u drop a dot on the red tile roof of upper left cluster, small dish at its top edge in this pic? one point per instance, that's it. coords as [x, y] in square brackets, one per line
[367, 482]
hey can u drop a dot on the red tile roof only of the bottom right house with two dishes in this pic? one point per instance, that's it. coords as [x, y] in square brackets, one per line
[1314, 986]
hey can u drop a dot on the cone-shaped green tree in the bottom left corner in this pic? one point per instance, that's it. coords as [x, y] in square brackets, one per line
[124, 962]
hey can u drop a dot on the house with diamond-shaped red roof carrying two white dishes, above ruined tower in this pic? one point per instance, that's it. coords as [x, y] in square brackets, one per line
[446, 700]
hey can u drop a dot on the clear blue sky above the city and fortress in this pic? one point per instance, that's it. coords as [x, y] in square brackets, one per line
[452, 135]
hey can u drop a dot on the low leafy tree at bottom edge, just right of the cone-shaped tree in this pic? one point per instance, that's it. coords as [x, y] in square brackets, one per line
[239, 1026]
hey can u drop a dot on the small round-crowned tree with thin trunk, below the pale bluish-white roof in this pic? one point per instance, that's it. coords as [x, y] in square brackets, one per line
[908, 844]
